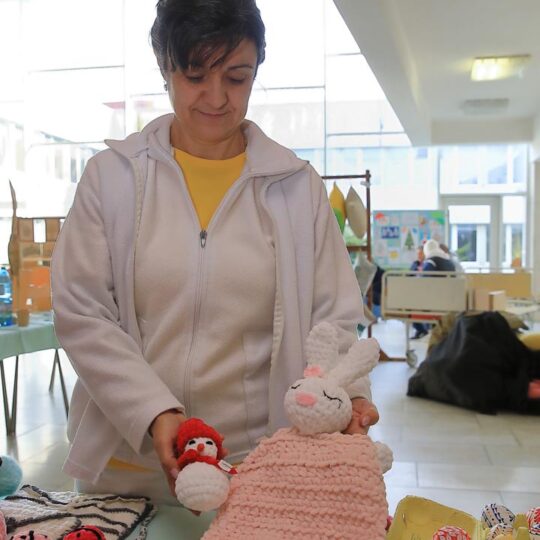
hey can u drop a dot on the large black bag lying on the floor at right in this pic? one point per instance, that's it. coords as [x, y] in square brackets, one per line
[481, 365]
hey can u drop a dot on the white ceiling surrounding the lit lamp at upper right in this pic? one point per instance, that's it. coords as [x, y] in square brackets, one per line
[421, 52]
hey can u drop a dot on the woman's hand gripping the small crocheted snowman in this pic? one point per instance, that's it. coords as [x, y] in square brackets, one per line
[164, 430]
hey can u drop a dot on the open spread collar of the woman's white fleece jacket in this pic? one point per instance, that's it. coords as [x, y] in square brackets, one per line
[265, 157]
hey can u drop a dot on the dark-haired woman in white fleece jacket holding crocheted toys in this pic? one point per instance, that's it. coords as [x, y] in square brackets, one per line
[194, 261]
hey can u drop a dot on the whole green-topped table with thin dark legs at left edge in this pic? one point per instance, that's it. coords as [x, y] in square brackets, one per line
[15, 340]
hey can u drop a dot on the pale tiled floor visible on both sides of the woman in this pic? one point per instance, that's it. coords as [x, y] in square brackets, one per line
[444, 453]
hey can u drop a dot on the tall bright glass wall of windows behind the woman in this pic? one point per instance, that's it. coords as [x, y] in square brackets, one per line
[85, 72]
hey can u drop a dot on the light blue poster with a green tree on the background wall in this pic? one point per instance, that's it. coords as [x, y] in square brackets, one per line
[397, 234]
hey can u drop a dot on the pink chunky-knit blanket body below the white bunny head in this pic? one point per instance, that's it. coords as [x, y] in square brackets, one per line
[295, 486]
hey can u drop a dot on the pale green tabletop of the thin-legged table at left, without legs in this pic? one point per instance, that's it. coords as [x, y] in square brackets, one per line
[37, 336]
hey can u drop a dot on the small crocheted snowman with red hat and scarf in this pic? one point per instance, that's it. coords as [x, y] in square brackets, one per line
[202, 483]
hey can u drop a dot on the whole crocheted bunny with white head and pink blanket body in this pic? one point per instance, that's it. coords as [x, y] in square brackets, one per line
[311, 480]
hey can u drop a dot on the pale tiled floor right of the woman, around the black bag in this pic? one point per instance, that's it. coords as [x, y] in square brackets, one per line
[447, 454]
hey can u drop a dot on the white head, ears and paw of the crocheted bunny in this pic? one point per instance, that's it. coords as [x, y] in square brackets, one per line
[319, 402]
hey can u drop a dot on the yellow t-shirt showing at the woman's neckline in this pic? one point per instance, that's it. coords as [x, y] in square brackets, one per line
[208, 180]
